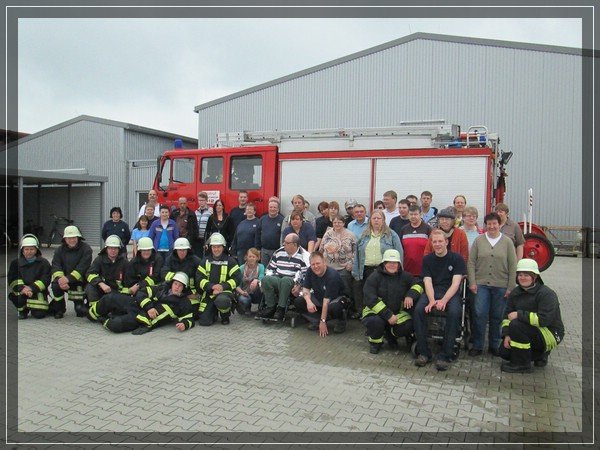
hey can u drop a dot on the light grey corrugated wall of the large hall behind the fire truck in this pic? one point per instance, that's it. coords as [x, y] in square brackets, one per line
[531, 98]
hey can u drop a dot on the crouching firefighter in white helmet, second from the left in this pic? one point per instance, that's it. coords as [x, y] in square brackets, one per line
[70, 263]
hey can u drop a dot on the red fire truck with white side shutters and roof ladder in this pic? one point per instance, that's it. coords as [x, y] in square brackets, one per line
[341, 164]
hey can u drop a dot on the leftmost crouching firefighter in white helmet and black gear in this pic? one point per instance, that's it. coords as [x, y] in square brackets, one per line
[29, 278]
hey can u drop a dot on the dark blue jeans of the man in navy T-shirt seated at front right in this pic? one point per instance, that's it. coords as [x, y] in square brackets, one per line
[453, 314]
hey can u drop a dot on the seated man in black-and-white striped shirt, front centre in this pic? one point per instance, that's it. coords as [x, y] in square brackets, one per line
[284, 276]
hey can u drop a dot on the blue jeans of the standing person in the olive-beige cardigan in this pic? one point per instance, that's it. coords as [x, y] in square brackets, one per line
[489, 307]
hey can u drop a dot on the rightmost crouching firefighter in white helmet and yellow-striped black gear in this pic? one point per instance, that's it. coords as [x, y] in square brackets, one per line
[532, 325]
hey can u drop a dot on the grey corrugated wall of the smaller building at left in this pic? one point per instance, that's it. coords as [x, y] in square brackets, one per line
[104, 150]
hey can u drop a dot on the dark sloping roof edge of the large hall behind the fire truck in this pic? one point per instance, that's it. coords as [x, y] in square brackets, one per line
[394, 43]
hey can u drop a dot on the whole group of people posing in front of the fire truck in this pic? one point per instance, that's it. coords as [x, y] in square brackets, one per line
[392, 269]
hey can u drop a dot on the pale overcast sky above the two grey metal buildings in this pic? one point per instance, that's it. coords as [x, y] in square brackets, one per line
[153, 72]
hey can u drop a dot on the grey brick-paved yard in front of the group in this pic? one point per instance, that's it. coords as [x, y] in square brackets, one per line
[76, 377]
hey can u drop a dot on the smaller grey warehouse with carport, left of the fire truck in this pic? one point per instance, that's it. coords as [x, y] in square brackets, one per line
[81, 168]
